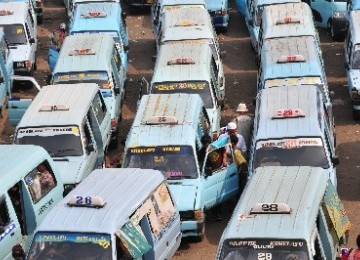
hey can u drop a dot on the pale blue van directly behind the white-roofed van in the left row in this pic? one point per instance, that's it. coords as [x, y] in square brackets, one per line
[93, 58]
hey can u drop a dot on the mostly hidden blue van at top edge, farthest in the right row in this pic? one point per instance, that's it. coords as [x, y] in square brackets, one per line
[253, 14]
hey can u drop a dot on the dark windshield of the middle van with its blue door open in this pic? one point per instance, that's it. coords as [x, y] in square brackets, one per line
[176, 162]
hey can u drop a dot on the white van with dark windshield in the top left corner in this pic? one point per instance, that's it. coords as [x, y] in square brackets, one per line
[20, 26]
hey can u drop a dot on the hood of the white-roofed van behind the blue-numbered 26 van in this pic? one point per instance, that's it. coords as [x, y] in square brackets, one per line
[71, 170]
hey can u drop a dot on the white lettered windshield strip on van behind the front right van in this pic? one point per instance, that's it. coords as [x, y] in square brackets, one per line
[289, 143]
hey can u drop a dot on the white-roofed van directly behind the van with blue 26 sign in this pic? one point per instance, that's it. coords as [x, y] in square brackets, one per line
[72, 123]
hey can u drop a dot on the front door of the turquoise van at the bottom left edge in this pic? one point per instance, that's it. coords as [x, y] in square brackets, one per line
[10, 231]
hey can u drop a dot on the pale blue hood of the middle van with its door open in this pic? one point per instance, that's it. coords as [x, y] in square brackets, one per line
[185, 195]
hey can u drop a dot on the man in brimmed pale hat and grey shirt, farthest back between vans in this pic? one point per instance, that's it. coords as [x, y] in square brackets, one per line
[244, 123]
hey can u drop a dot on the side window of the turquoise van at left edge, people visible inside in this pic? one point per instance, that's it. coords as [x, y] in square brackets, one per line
[40, 181]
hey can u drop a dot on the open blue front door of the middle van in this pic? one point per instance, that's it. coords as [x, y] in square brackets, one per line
[220, 182]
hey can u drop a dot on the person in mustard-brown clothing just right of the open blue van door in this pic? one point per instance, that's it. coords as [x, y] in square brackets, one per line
[240, 162]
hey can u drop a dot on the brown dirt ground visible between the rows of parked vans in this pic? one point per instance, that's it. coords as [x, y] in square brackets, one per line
[240, 72]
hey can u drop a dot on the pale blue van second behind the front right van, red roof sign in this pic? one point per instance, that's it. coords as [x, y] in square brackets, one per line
[293, 61]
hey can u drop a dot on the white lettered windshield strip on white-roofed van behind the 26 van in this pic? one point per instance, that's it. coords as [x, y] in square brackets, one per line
[48, 131]
